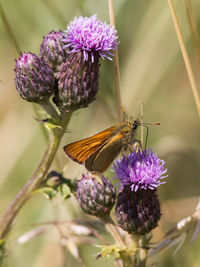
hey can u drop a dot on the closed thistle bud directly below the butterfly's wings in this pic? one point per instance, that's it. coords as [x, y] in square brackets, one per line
[95, 197]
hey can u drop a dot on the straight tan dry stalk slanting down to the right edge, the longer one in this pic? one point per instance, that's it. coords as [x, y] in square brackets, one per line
[185, 56]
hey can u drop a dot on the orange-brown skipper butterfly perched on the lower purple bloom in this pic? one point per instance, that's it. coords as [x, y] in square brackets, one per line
[98, 151]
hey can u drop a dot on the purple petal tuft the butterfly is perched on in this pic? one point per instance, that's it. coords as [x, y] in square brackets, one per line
[140, 170]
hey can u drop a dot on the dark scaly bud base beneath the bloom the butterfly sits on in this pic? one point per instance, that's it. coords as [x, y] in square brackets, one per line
[137, 212]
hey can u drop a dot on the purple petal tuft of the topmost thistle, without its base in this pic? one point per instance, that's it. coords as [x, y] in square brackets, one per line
[91, 36]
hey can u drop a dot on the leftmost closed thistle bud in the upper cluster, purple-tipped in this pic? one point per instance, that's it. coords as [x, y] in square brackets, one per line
[34, 79]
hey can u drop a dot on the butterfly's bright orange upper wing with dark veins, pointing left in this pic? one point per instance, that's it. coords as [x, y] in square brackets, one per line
[79, 151]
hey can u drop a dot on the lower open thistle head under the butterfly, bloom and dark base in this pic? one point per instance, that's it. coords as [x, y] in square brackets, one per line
[138, 207]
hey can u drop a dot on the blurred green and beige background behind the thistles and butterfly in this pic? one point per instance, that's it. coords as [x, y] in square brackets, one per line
[152, 72]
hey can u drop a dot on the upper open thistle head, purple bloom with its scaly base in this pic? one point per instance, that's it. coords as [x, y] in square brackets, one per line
[88, 40]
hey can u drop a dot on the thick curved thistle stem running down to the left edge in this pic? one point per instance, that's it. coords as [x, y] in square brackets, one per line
[38, 176]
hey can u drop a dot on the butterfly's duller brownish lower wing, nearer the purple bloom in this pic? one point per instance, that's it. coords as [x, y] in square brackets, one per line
[100, 160]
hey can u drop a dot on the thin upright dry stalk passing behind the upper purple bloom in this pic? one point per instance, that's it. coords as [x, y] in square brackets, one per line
[116, 65]
